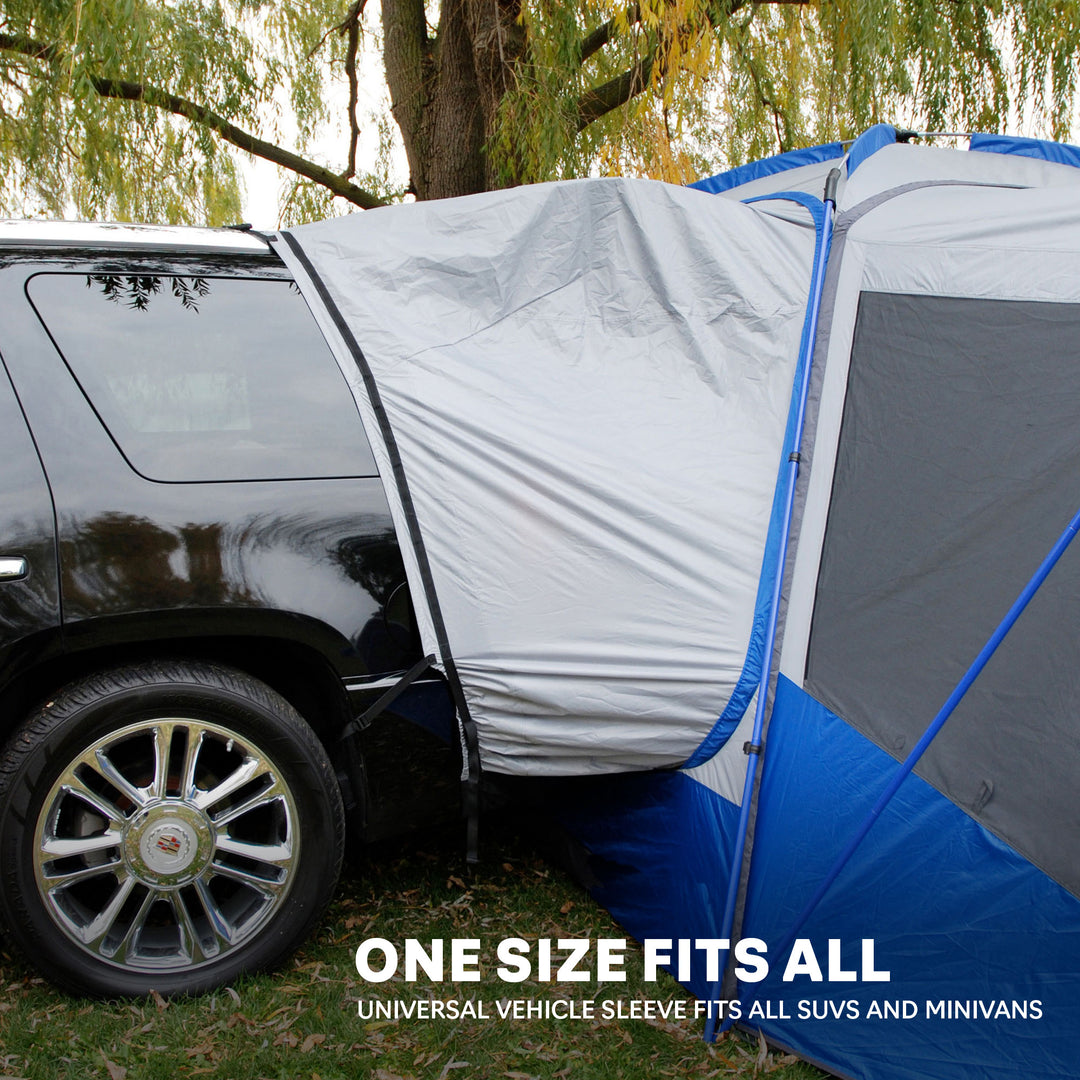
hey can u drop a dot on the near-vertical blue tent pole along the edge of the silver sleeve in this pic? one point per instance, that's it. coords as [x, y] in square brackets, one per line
[754, 749]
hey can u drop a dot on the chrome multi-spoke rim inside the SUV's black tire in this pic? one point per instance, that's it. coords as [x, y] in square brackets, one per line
[166, 844]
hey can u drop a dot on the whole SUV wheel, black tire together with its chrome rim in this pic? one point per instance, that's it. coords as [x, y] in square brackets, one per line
[166, 827]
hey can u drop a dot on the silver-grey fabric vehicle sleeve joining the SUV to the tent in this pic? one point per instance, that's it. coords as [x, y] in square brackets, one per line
[587, 387]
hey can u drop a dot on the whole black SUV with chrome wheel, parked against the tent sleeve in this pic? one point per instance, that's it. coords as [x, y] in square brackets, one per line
[201, 605]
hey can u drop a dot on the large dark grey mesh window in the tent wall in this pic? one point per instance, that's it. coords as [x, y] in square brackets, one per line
[958, 466]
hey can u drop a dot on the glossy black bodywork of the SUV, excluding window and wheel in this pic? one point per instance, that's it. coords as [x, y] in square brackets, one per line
[299, 580]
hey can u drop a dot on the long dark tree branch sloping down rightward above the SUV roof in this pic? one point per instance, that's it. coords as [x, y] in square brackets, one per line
[121, 90]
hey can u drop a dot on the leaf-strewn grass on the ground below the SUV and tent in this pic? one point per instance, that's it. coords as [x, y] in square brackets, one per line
[303, 1022]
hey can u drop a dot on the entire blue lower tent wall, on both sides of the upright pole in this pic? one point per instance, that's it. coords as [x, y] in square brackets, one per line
[659, 849]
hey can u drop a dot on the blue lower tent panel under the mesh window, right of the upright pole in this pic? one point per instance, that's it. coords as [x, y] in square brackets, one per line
[943, 868]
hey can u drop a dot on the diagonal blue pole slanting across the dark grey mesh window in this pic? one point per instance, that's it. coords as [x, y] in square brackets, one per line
[939, 722]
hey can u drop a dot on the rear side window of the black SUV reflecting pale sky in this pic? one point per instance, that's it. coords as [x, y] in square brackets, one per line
[206, 379]
